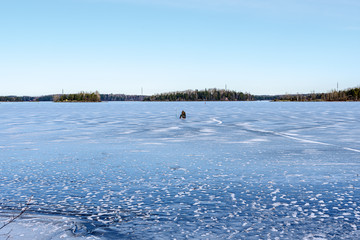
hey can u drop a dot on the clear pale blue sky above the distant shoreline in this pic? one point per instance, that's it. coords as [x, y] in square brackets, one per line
[121, 46]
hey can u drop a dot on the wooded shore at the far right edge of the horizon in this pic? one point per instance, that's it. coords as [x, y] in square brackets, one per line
[351, 94]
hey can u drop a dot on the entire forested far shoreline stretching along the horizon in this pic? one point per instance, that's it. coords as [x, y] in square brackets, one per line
[213, 94]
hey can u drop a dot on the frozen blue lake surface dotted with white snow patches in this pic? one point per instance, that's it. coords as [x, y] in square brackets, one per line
[133, 170]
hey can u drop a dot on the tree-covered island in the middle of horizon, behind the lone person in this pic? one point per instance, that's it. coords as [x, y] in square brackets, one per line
[202, 95]
